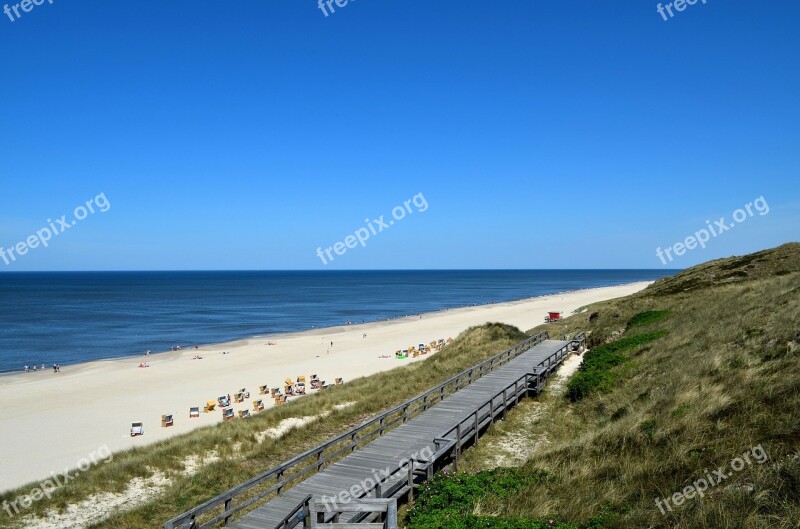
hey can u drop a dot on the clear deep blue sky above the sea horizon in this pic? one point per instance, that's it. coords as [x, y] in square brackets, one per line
[244, 135]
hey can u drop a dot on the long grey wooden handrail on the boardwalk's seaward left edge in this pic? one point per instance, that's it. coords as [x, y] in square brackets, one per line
[280, 471]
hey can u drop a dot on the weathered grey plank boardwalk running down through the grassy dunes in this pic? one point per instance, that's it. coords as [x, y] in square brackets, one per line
[413, 450]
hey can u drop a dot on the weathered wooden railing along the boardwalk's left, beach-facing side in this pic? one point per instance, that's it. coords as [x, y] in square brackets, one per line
[223, 507]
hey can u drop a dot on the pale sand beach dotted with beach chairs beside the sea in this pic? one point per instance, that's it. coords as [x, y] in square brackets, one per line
[49, 421]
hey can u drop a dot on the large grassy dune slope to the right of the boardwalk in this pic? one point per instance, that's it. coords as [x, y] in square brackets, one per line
[649, 420]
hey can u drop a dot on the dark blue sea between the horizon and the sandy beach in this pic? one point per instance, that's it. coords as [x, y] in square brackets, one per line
[71, 317]
